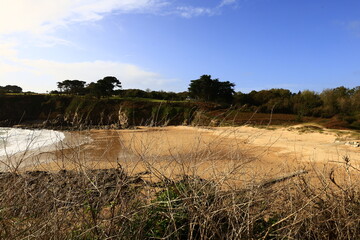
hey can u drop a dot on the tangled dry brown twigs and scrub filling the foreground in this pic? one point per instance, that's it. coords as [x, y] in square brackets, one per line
[109, 204]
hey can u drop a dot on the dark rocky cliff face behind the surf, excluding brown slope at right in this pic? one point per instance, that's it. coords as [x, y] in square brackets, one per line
[78, 111]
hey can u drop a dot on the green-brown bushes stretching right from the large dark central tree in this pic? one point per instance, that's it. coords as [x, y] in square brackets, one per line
[341, 104]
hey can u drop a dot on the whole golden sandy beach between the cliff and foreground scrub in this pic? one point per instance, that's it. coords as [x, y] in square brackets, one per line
[224, 154]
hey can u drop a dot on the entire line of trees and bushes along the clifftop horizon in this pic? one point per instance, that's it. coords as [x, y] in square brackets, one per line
[340, 101]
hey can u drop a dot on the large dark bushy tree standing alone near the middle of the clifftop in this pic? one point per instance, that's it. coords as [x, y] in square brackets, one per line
[212, 90]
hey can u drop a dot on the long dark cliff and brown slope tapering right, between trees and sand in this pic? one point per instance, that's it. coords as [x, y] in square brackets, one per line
[64, 112]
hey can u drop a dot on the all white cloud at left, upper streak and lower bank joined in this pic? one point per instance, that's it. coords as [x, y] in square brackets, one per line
[35, 22]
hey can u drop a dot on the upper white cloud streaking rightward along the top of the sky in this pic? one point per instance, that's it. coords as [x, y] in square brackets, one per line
[36, 22]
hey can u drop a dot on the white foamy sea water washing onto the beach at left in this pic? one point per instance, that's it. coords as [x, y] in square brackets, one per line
[14, 140]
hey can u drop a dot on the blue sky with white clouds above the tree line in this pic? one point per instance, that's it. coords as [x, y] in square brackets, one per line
[164, 44]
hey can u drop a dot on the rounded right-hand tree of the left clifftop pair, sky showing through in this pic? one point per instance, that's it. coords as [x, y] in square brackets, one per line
[104, 87]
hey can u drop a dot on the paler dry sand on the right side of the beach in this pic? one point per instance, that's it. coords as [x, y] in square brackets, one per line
[306, 143]
